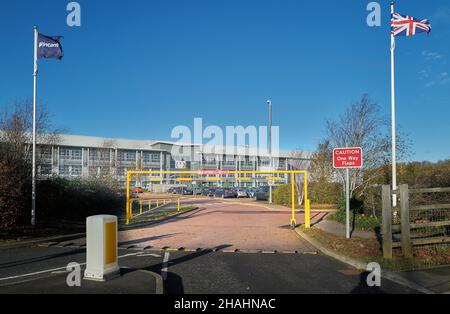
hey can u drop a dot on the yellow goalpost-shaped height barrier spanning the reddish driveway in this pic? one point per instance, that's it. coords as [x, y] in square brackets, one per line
[292, 174]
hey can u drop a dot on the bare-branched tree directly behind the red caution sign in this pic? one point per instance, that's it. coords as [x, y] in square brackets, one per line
[362, 126]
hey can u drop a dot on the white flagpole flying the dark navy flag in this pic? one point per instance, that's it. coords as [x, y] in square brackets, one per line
[33, 171]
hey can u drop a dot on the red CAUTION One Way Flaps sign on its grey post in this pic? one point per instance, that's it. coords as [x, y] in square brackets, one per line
[347, 158]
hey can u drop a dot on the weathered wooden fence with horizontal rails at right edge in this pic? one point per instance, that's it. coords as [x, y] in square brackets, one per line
[404, 224]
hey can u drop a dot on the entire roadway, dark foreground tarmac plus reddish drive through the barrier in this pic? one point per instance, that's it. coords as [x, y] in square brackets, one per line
[243, 249]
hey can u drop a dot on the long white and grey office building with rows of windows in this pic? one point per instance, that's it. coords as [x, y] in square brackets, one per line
[83, 156]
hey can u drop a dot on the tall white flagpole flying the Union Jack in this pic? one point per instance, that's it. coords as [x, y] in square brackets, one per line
[394, 136]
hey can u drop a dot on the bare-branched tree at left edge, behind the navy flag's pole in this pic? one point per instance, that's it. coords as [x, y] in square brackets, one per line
[15, 159]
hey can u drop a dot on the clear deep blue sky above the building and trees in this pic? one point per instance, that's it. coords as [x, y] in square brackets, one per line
[136, 69]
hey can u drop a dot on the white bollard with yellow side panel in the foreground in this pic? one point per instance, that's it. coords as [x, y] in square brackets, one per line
[101, 247]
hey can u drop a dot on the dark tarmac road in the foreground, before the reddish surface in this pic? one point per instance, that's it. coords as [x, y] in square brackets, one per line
[38, 270]
